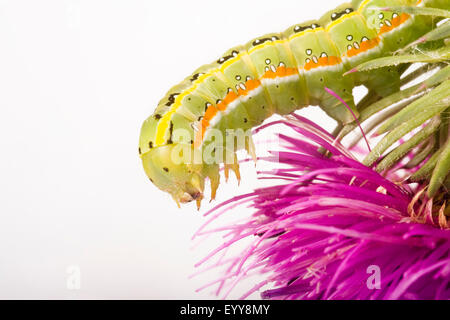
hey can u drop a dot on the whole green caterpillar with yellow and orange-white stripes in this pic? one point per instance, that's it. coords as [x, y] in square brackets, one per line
[276, 73]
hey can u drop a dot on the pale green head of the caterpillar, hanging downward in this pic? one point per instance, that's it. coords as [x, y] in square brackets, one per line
[185, 182]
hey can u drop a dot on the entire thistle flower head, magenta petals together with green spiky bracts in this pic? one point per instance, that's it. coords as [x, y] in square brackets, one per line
[338, 228]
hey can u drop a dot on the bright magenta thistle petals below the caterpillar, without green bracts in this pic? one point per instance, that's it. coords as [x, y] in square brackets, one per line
[334, 228]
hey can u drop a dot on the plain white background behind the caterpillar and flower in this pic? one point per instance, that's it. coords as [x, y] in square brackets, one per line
[77, 79]
